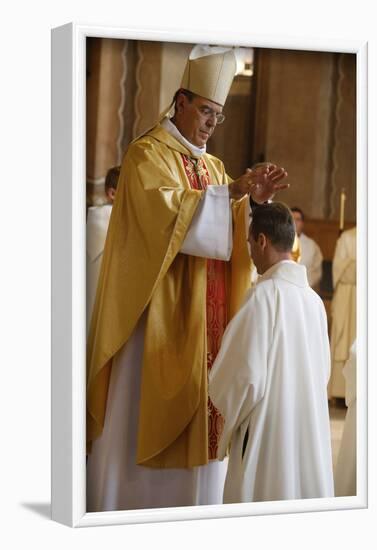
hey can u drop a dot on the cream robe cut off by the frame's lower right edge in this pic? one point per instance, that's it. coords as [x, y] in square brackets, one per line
[345, 471]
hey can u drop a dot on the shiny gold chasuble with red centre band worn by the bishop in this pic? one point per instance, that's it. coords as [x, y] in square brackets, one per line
[187, 300]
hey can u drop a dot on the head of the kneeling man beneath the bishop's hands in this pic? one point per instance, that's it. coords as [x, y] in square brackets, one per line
[271, 235]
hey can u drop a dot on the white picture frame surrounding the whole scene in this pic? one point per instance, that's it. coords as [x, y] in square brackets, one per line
[68, 277]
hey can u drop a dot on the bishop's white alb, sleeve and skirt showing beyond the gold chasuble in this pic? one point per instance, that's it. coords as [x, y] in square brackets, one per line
[114, 481]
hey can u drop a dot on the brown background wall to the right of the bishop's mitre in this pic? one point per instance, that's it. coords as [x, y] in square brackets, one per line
[306, 122]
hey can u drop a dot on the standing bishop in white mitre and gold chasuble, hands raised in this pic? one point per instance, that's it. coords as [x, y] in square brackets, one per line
[174, 271]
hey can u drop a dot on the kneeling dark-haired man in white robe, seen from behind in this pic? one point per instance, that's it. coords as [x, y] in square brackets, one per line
[269, 380]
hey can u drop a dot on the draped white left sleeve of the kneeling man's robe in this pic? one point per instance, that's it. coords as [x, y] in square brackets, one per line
[237, 380]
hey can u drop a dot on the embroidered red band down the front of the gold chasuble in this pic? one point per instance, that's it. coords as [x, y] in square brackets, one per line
[198, 177]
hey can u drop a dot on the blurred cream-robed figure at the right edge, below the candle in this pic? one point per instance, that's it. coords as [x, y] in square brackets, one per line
[343, 309]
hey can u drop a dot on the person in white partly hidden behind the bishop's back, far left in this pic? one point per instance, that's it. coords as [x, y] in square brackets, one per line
[96, 230]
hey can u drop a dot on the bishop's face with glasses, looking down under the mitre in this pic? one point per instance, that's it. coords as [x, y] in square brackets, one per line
[196, 120]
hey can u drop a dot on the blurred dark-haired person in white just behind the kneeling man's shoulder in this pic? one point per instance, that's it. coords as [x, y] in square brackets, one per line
[311, 255]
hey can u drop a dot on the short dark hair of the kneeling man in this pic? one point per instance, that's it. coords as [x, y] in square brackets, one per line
[276, 222]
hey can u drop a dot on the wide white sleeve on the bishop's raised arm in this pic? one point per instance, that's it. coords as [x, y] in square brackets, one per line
[210, 231]
